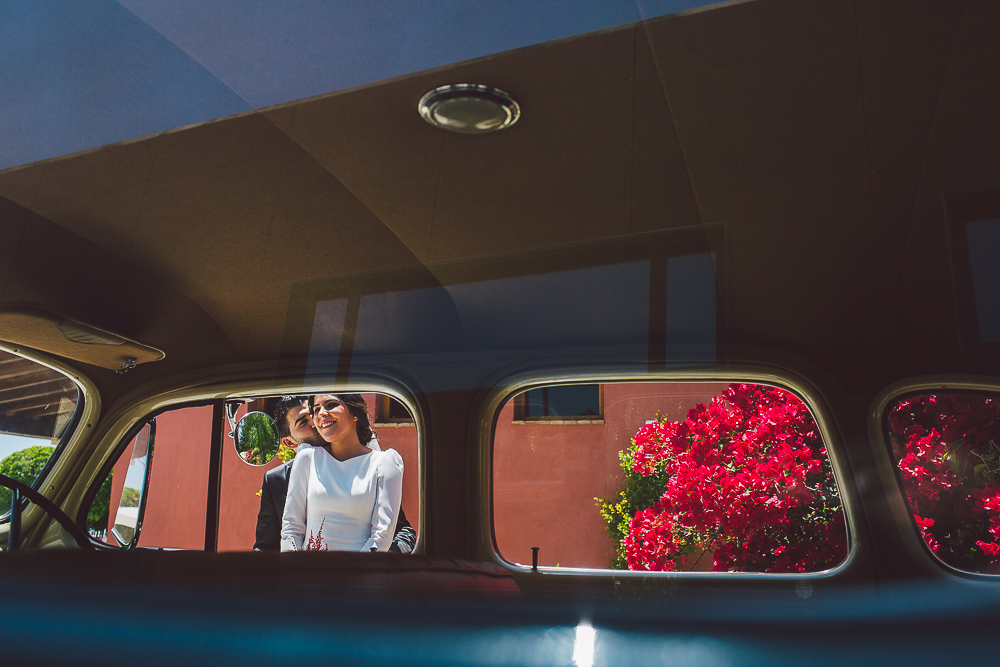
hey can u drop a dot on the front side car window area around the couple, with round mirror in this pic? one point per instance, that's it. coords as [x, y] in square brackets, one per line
[175, 508]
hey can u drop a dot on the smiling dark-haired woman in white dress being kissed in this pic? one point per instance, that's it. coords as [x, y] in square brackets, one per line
[342, 495]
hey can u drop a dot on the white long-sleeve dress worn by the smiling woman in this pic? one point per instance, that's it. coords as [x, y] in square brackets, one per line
[355, 502]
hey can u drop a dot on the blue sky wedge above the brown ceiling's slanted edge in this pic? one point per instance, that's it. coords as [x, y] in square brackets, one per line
[77, 75]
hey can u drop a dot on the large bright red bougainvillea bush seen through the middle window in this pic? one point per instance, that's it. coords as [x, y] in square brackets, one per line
[746, 479]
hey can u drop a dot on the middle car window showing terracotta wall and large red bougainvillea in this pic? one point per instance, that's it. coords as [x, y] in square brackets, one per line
[674, 476]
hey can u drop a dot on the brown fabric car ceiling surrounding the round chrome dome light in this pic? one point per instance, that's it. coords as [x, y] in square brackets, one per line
[820, 137]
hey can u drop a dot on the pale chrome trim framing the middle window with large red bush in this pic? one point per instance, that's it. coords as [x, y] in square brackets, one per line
[806, 391]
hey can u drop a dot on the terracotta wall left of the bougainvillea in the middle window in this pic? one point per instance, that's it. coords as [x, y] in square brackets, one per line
[546, 475]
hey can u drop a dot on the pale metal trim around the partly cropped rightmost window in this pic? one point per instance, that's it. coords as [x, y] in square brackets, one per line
[902, 517]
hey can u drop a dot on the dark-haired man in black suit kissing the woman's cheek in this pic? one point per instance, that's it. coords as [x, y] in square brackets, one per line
[294, 423]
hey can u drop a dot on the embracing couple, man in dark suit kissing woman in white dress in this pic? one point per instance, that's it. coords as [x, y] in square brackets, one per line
[340, 492]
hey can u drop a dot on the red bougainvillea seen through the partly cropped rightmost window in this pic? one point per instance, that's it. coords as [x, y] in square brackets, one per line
[948, 452]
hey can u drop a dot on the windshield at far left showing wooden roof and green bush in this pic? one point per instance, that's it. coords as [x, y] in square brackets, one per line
[37, 405]
